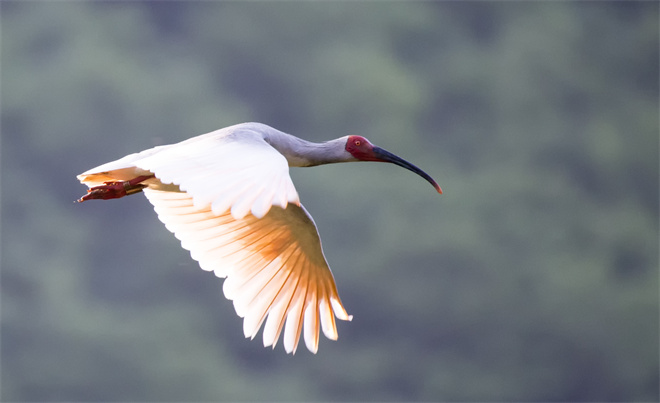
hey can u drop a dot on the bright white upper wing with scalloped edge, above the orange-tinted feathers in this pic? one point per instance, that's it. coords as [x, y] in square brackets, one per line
[246, 176]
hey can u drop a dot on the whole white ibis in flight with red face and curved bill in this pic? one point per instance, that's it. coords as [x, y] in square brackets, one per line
[216, 191]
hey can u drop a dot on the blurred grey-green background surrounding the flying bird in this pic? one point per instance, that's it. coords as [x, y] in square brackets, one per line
[533, 278]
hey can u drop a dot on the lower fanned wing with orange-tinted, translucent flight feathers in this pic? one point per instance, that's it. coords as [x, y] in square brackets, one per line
[274, 266]
